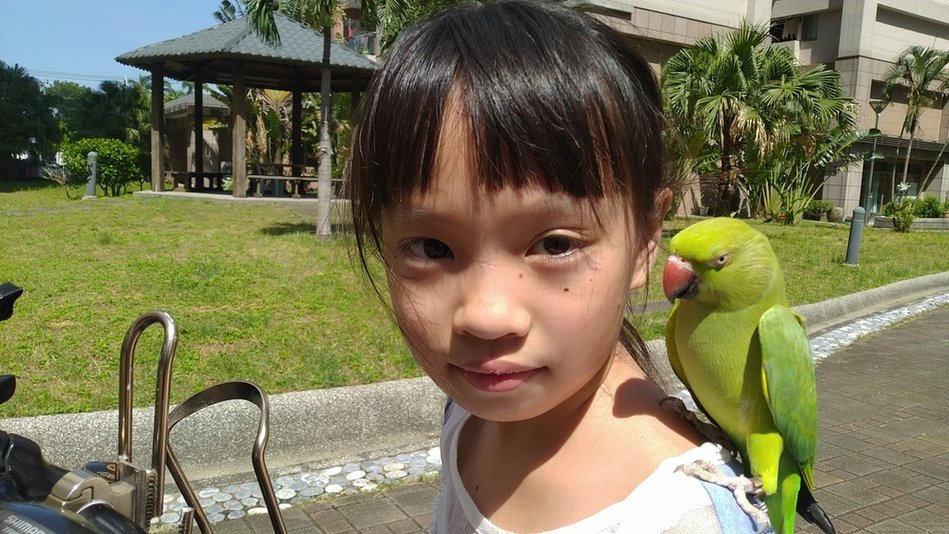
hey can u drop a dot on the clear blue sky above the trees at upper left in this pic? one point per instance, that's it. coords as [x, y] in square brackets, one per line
[78, 40]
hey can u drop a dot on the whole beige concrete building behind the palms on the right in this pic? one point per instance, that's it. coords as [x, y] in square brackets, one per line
[858, 38]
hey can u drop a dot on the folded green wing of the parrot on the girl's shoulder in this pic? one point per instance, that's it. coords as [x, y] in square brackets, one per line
[789, 386]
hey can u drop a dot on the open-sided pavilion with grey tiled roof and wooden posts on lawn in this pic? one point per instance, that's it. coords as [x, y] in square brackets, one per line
[233, 54]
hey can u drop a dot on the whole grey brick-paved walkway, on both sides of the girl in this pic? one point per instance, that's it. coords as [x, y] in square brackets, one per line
[883, 458]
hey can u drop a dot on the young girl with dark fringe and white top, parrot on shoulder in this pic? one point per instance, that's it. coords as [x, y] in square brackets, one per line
[507, 168]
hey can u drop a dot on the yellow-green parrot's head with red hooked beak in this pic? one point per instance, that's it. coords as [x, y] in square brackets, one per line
[721, 262]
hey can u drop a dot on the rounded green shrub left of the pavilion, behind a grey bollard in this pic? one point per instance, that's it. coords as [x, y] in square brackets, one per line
[117, 163]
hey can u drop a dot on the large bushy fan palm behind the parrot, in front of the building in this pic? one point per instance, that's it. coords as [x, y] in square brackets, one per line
[752, 105]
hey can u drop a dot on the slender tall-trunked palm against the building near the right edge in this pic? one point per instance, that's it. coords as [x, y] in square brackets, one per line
[923, 74]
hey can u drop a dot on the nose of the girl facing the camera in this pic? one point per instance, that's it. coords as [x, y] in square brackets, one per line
[491, 305]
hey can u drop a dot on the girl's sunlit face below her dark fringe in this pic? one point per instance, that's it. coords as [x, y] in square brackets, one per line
[511, 300]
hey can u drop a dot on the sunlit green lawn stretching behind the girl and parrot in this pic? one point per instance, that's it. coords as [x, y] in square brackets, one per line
[256, 297]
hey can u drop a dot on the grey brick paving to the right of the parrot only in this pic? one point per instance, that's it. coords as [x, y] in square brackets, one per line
[883, 455]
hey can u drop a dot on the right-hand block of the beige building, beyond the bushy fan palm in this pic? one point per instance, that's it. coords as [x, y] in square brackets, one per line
[860, 39]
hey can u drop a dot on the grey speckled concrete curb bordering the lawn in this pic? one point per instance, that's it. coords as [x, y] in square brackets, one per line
[332, 426]
